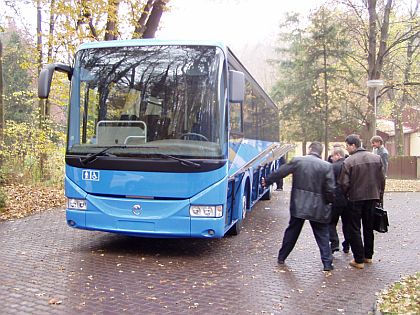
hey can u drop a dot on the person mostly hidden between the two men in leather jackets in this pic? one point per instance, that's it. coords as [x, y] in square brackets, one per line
[339, 206]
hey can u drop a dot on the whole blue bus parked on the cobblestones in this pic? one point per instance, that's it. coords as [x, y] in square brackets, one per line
[165, 138]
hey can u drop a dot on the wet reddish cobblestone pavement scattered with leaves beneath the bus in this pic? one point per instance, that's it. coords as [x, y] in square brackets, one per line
[49, 268]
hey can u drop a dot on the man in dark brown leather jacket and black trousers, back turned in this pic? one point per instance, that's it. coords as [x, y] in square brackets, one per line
[362, 180]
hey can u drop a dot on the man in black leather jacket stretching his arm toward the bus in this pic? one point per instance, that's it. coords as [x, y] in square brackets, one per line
[312, 194]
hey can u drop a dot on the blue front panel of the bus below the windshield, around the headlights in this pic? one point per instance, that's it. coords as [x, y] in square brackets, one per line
[169, 218]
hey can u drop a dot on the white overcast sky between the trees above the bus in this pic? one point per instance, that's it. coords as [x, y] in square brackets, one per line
[235, 22]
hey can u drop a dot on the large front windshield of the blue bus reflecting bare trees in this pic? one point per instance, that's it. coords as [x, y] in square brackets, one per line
[166, 98]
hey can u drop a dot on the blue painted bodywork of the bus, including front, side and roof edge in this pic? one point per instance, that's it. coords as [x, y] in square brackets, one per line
[165, 201]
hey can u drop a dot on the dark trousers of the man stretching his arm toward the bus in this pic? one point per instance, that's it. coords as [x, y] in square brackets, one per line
[292, 233]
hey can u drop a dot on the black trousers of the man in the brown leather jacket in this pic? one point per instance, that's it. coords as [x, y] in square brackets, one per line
[361, 212]
